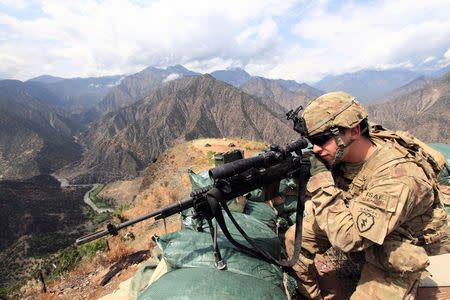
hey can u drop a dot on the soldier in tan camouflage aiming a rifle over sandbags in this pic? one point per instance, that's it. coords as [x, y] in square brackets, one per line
[368, 193]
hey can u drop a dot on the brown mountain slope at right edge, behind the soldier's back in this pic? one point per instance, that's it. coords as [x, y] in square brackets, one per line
[424, 112]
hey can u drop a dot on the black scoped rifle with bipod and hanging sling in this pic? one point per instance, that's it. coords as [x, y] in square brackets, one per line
[230, 180]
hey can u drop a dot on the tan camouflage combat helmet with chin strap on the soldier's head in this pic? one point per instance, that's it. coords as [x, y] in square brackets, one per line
[330, 112]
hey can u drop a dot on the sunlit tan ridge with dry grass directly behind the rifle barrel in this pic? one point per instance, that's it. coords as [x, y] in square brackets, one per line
[164, 182]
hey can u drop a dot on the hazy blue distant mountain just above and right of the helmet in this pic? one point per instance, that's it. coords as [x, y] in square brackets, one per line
[367, 85]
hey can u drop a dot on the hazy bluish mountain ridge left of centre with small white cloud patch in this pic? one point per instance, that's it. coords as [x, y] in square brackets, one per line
[133, 88]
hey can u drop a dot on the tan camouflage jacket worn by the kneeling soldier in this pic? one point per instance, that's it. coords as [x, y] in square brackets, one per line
[387, 200]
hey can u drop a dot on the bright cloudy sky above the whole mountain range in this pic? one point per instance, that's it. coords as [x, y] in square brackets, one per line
[287, 39]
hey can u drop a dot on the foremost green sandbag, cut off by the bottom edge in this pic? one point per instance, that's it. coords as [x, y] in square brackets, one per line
[210, 284]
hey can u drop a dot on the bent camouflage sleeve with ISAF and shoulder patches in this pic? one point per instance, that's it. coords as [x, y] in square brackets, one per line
[387, 202]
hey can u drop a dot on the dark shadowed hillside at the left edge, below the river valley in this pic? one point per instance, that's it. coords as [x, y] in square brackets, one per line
[37, 218]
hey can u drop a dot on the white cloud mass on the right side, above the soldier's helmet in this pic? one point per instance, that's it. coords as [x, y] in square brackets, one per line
[385, 34]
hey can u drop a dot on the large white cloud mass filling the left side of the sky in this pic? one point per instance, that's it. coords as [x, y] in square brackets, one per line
[102, 37]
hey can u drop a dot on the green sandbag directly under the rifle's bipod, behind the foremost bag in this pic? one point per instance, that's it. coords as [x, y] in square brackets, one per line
[189, 249]
